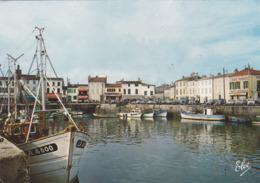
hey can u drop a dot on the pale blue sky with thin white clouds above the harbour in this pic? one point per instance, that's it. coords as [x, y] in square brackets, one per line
[156, 41]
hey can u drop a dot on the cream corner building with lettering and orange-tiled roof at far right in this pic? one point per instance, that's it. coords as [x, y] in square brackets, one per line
[245, 84]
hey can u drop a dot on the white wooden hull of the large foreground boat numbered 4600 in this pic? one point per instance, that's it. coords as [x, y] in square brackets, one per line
[56, 158]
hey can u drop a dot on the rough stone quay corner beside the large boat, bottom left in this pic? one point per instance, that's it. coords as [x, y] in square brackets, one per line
[13, 163]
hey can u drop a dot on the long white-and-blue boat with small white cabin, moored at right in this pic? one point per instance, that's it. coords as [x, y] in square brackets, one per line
[207, 115]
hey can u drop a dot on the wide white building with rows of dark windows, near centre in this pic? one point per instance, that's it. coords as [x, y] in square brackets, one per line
[137, 89]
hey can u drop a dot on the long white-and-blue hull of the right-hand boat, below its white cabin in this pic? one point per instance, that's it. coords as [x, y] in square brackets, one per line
[187, 115]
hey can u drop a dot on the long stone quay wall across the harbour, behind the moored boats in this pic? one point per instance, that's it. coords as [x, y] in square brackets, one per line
[174, 110]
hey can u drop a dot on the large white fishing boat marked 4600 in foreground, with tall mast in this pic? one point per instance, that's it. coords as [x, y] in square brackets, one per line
[52, 158]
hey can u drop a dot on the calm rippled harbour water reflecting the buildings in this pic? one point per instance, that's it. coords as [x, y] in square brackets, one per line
[168, 150]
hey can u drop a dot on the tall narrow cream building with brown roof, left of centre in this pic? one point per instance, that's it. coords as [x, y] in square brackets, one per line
[97, 87]
